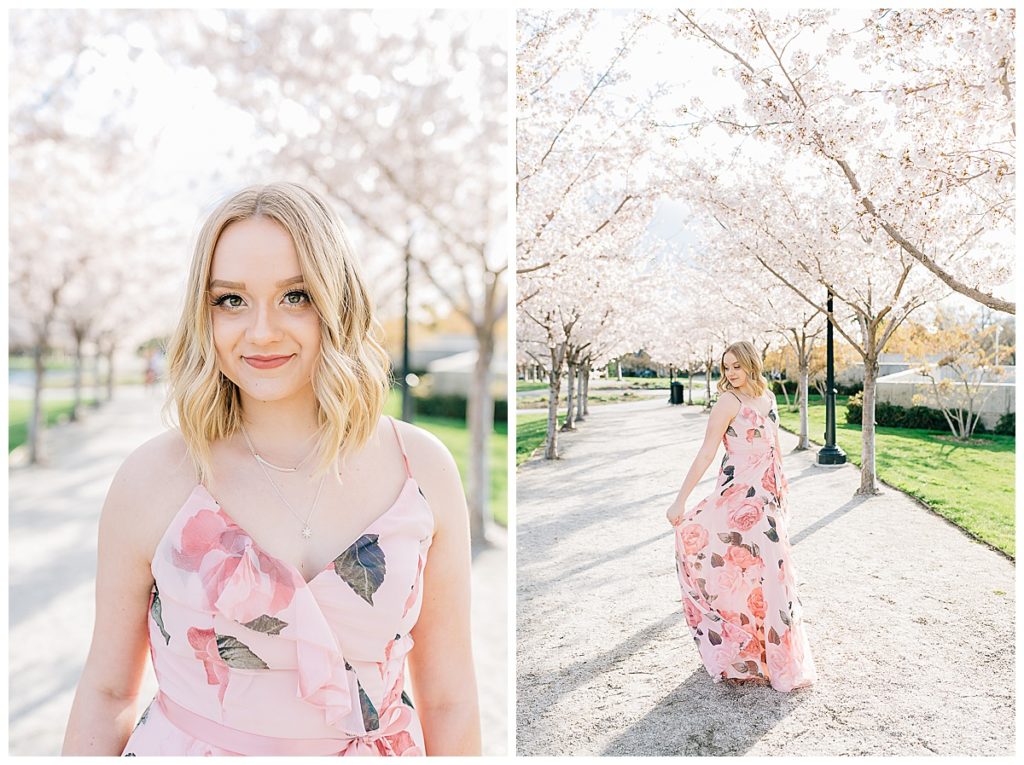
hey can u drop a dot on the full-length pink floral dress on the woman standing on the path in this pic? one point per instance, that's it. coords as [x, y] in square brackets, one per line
[734, 564]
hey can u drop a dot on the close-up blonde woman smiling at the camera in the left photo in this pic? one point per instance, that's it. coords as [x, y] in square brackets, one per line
[286, 550]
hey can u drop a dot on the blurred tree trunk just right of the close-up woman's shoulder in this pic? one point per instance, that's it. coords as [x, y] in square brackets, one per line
[481, 418]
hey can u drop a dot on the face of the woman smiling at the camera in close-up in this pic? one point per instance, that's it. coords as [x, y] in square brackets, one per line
[266, 329]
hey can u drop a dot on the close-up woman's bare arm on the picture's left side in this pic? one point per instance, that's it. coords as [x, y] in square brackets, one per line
[106, 704]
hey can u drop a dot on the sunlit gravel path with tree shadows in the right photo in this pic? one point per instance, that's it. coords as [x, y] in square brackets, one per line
[911, 622]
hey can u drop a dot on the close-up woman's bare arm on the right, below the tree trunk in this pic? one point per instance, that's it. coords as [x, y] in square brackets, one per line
[442, 661]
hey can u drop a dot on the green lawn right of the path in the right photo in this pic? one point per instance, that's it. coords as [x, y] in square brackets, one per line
[970, 485]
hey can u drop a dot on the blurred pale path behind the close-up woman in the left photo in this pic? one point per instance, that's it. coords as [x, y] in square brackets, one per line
[53, 552]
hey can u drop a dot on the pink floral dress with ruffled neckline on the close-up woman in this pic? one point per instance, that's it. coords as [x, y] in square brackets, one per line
[253, 660]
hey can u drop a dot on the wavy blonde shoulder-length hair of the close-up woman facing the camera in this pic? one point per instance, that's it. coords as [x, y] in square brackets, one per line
[352, 376]
